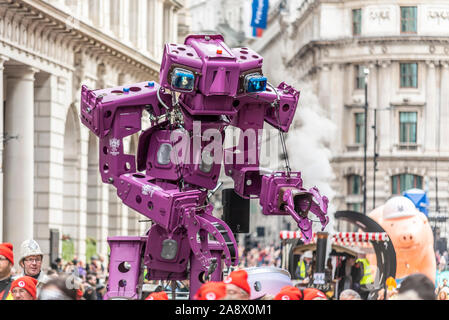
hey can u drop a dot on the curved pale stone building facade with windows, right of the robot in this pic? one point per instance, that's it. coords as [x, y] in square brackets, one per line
[405, 47]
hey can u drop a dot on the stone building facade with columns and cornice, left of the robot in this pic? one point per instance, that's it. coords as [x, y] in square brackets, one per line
[49, 164]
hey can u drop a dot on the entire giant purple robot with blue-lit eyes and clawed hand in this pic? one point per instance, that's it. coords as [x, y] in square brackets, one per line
[205, 86]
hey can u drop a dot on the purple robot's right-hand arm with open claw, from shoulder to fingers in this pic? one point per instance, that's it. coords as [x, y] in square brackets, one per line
[281, 193]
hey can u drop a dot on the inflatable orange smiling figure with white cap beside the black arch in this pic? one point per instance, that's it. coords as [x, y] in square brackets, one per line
[411, 234]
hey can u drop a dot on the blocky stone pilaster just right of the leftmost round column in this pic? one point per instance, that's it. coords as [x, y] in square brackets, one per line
[49, 126]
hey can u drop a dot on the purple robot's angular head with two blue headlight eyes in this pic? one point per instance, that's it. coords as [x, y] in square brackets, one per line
[205, 65]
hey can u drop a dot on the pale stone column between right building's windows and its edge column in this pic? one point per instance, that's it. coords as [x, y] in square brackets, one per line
[429, 143]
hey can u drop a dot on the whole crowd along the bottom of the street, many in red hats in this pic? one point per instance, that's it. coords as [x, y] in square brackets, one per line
[75, 280]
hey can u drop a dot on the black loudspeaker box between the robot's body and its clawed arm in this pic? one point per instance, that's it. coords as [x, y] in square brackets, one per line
[235, 211]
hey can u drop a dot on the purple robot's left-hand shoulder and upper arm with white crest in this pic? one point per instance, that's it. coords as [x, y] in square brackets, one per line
[115, 113]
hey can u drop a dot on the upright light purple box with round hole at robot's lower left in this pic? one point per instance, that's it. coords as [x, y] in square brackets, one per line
[124, 266]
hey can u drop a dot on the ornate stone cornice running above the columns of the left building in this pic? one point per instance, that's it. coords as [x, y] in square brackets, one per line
[42, 29]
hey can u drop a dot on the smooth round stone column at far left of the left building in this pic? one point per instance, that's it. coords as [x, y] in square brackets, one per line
[19, 156]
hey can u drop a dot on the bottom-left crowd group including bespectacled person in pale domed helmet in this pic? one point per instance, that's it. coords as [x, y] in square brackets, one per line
[63, 281]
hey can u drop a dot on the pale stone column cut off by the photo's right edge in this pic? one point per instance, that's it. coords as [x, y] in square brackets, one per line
[444, 102]
